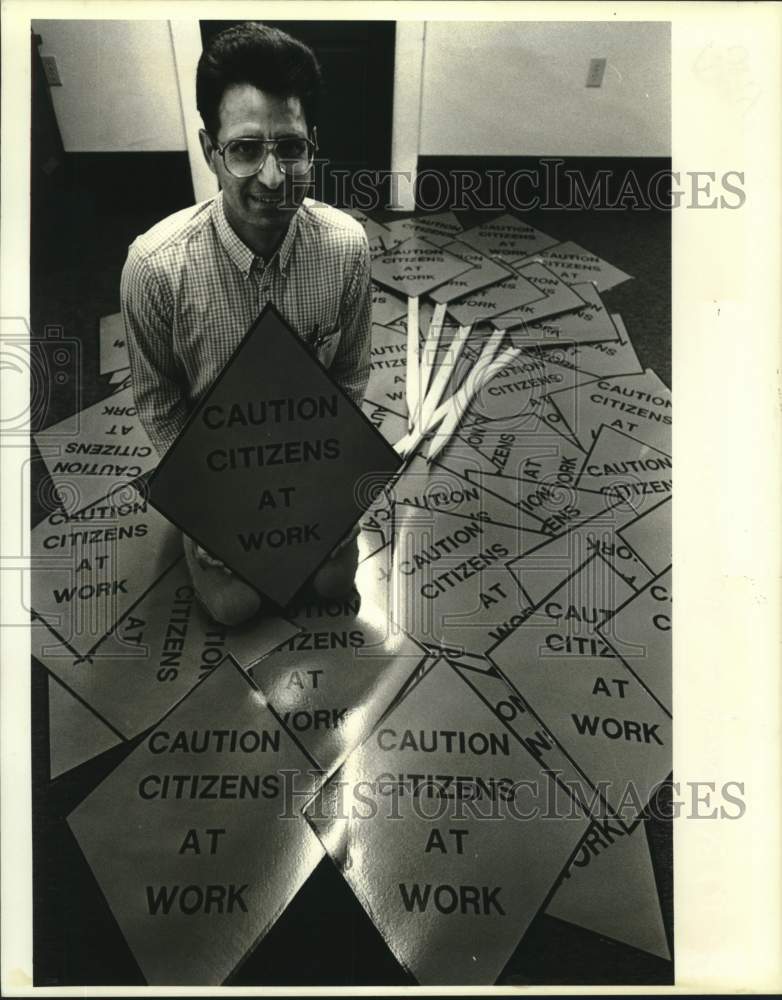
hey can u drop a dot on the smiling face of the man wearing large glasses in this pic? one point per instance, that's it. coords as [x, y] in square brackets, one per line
[264, 202]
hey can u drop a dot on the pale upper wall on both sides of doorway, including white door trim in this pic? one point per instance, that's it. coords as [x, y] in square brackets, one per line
[487, 89]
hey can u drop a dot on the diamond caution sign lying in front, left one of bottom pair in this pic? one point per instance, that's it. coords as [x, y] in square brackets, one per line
[196, 839]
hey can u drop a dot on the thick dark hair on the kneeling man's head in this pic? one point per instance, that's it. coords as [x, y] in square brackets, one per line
[265, 57]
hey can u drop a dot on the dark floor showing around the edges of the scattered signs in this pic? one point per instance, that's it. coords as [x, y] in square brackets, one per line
[79, 249]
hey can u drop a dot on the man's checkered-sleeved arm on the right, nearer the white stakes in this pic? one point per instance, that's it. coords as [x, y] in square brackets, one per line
[350, 366]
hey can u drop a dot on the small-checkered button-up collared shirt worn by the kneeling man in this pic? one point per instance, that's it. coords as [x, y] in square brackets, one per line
[191, 289]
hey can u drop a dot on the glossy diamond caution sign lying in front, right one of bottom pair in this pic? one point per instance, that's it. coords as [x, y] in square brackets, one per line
[429, 821]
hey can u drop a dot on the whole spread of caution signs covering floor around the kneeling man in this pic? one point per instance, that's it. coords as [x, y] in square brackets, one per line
[472, 735]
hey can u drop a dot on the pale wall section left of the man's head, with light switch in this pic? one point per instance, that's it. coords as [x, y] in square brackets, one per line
[119, 90]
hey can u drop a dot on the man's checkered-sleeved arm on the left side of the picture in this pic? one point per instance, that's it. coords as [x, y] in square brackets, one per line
[147, 311]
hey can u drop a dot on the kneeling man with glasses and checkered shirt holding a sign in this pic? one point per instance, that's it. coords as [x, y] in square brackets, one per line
[194, 283]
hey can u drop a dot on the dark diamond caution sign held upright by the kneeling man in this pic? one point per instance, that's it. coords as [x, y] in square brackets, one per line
[275, 464]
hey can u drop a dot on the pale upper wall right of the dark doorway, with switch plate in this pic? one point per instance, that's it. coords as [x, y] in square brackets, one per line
[511, 88]
